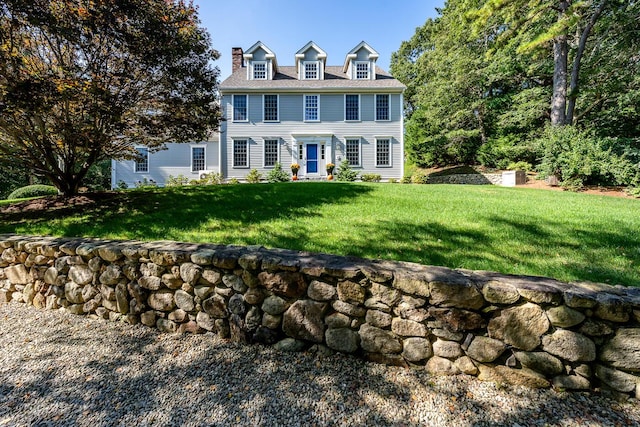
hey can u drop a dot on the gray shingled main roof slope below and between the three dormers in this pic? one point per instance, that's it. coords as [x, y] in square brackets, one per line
[286, 79]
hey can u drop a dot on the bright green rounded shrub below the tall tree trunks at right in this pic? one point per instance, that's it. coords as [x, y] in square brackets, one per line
[580, 158]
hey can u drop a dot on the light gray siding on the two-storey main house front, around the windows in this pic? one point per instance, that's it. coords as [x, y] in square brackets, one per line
[331, 132]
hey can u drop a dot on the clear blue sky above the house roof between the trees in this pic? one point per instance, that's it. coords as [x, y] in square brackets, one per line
[336, 26]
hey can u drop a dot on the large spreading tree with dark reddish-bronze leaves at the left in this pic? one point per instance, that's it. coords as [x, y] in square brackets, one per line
[105, 77]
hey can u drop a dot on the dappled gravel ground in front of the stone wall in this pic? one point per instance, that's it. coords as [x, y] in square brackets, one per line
[61, 369]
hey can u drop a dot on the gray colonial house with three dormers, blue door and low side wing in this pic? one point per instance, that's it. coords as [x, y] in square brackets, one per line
[311, 114]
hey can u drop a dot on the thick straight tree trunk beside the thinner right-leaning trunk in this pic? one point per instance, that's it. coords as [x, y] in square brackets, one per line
[560, 53]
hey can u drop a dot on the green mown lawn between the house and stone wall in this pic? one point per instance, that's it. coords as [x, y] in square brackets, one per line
[564, 235]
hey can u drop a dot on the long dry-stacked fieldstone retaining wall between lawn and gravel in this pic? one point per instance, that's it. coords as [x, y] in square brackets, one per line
[510, 329]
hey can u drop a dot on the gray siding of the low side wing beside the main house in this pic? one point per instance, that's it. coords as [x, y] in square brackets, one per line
[176, 160]
